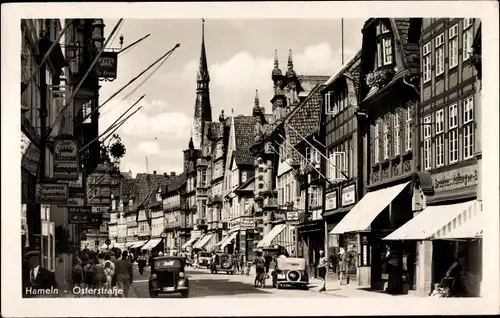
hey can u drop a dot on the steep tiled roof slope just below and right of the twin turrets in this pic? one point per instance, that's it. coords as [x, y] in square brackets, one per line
[305, 118]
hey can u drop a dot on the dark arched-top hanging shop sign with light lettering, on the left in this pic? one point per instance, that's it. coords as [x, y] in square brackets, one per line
[66, 158]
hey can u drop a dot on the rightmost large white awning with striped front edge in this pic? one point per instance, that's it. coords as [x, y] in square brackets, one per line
[435, 221]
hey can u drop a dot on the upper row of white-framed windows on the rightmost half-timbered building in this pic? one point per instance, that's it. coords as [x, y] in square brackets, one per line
[439, 48]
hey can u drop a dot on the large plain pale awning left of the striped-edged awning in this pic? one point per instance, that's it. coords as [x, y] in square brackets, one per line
[367, 209]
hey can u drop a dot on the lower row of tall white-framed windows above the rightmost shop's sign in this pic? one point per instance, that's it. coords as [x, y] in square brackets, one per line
[447, 124]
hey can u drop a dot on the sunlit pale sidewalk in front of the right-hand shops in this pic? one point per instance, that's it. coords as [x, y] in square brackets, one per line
[351, 290]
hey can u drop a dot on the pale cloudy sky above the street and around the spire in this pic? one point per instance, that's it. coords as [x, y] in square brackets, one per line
[240, 55]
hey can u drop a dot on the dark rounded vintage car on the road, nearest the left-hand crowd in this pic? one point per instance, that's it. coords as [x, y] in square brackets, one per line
[168, 276]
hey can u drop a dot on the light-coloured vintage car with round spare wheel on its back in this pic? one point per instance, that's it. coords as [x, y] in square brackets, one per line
[290, 271]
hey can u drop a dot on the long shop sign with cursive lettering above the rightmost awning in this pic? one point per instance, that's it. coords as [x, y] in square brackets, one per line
[456, 178]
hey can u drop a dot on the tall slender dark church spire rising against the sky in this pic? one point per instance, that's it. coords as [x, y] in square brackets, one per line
[202, 107]
